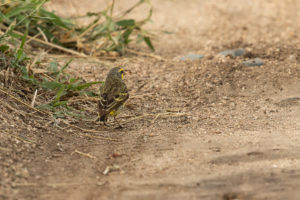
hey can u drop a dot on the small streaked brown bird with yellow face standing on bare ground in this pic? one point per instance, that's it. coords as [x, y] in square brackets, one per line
[113, 94]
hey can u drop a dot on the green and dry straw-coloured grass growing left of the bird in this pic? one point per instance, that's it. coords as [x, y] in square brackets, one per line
[26, 24]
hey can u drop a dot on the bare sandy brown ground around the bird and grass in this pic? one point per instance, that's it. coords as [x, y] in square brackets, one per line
[234, 131]
